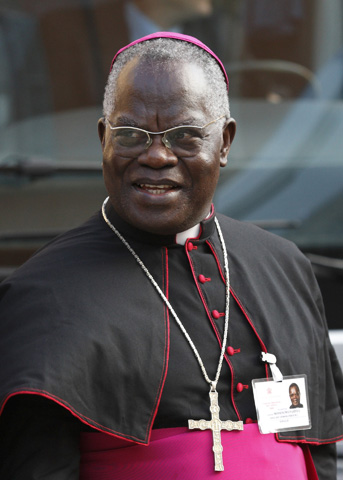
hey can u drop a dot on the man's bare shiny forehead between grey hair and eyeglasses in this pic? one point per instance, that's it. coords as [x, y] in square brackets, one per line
[163, 88]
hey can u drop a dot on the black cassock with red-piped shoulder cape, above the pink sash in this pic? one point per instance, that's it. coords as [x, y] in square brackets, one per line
[82, 326]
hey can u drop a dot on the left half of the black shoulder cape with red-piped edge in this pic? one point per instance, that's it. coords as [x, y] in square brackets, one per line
[66, 335]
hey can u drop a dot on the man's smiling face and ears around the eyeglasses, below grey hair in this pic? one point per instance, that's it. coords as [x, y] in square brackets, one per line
[158, 191]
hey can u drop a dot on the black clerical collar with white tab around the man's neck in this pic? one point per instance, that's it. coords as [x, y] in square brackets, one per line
[201, 231]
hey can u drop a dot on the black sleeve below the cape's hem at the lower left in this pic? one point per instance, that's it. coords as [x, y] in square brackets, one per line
[39, 440]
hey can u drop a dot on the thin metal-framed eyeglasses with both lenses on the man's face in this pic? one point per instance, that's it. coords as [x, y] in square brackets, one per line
[184, 140]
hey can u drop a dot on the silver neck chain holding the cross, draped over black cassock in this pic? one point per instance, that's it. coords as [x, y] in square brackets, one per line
[214, 382]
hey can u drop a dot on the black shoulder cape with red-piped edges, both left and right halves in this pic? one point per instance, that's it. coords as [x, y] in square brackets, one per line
[67, 333]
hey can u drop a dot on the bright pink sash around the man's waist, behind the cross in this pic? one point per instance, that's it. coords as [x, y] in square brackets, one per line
[180, 454]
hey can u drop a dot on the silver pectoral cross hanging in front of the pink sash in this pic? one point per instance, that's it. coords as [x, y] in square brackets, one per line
[216, 425]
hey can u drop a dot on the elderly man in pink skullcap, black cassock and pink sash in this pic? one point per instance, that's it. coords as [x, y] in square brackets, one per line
[151, 317]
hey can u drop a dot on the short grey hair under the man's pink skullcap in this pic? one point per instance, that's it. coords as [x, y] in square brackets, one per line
[164, 50]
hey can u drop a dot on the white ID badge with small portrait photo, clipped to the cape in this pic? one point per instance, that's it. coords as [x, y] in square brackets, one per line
[282, 406]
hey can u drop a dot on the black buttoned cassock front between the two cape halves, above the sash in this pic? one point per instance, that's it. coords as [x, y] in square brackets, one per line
[186, 393]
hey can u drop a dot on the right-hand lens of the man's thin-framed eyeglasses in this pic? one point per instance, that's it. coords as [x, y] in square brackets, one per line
[185, 139]
